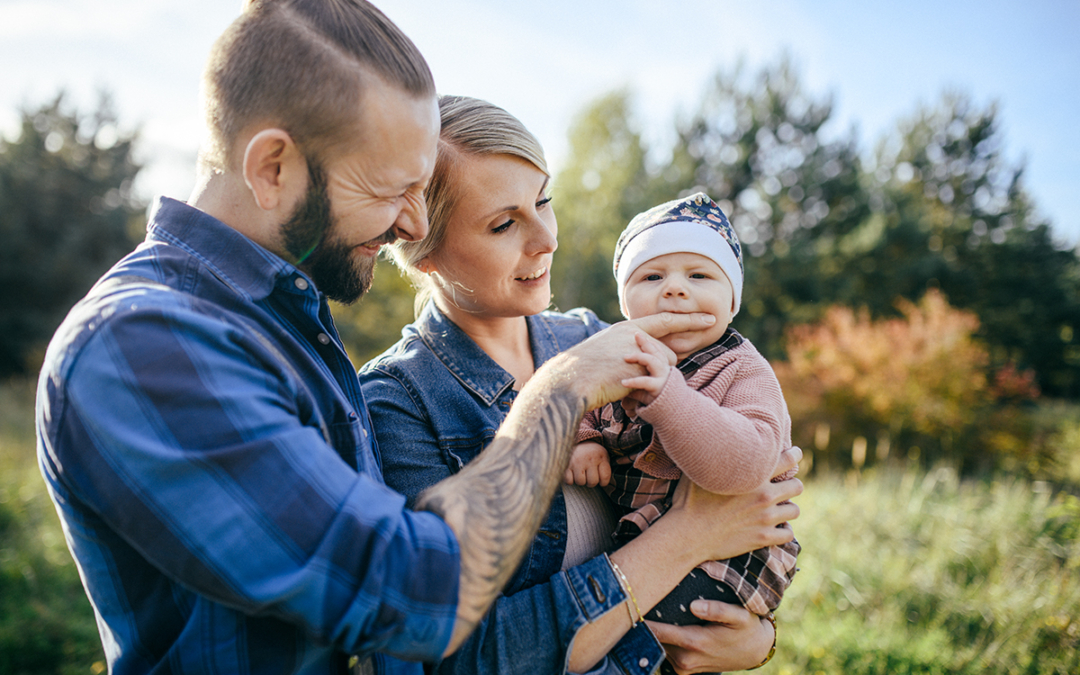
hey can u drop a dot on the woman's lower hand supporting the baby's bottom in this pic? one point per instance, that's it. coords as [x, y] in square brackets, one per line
[735, 640]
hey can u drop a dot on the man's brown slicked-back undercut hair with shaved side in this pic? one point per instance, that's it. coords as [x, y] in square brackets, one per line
[300, 65]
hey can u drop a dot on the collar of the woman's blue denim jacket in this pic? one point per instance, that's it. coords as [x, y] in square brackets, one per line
[470, 364]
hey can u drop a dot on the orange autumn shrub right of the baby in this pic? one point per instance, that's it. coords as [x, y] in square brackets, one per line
[919, 385]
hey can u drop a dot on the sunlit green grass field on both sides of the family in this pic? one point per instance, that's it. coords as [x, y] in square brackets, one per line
[902, 572]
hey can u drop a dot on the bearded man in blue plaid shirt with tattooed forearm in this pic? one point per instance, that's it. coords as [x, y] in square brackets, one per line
[201, 429]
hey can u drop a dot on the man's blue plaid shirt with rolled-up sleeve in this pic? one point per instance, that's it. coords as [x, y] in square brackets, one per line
[207, 443]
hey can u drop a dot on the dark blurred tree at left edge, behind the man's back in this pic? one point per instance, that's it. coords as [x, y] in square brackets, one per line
[67, 213]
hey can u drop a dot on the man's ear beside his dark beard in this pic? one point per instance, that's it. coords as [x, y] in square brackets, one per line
[275, 169]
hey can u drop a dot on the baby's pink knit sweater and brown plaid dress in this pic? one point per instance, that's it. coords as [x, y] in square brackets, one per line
[733, 374]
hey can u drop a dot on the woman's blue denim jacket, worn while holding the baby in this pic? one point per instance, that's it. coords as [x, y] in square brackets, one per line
[437, 400]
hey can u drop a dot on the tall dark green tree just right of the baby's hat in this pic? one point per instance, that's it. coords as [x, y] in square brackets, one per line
[759, 146]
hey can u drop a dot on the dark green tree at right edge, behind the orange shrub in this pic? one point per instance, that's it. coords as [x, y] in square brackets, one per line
[951, 212]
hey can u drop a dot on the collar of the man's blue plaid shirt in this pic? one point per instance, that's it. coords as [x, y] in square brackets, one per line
[247, 267]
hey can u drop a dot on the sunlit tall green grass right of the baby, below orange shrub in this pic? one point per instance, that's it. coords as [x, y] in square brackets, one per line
[904, 572]
